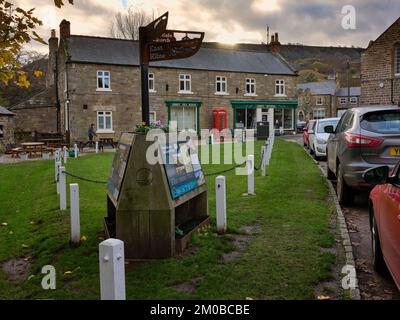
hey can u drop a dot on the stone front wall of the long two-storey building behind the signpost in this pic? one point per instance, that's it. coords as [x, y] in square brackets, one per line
[125, 102]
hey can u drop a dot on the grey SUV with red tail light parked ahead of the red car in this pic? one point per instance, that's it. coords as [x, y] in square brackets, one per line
[365, 138]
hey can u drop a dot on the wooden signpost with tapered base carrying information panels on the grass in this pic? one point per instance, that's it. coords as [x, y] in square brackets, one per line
[155, 208]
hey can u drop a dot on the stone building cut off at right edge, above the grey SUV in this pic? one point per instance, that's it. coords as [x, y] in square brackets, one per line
[380, 69]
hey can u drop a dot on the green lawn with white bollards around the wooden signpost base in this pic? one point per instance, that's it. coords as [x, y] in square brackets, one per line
[283, 261]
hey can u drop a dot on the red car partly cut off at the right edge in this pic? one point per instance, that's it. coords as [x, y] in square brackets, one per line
[385, 219]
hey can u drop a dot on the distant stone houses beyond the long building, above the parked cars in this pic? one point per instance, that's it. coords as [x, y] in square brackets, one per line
[318, 100]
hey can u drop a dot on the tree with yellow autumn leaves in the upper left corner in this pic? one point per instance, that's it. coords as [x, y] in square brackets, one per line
[17, 28]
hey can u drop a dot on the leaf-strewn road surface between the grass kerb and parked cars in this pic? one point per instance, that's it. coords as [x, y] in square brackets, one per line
[373, 286]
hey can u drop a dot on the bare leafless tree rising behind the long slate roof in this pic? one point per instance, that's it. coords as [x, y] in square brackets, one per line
[126, 25]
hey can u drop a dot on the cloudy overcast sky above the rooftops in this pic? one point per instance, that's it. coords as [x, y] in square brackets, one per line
[311, 22]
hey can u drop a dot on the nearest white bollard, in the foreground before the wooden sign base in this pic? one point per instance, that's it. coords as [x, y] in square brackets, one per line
[112, 270]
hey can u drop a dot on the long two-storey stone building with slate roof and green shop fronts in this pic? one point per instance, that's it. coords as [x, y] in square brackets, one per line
[98, 81]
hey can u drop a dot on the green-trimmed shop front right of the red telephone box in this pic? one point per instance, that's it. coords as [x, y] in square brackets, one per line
[280, 114]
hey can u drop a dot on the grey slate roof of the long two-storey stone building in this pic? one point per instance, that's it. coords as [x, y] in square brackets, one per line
[99, 50]
